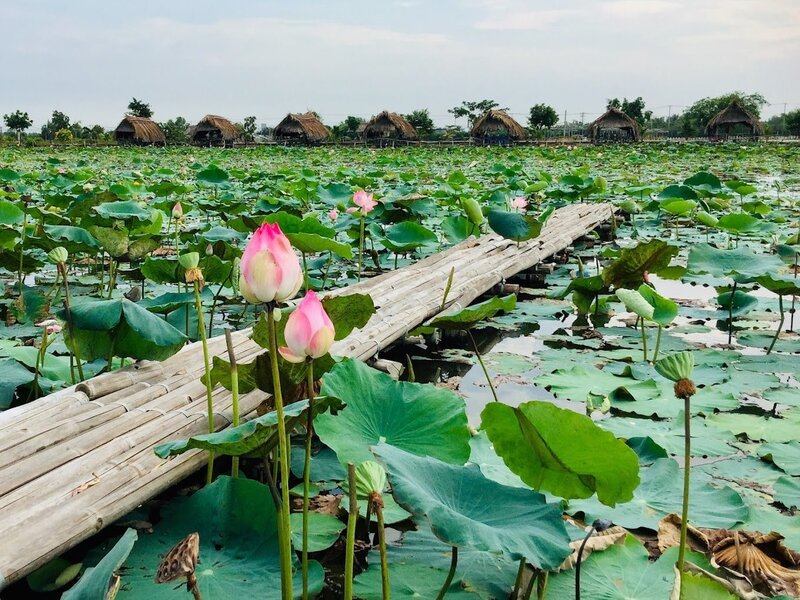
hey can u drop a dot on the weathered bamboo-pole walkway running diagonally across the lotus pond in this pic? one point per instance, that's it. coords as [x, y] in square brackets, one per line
[77, 460]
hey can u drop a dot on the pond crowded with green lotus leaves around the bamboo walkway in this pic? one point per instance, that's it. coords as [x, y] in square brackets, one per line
[519, 423]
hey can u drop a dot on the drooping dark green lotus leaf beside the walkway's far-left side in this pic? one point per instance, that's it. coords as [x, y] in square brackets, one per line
[134, 331]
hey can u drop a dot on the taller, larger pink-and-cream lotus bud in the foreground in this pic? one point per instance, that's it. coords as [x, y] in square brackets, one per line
[270, 269]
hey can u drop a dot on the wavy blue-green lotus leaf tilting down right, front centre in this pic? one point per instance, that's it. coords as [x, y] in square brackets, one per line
[453, 500]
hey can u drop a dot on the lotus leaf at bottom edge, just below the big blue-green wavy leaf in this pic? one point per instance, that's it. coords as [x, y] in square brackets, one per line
[407, 581]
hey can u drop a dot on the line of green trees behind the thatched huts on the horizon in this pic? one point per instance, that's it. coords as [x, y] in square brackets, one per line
[541, 120]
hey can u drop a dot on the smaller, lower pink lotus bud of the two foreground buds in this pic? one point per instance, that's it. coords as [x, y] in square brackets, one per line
[309, 331]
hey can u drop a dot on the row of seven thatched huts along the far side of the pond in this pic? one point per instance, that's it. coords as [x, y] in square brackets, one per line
[494, 127]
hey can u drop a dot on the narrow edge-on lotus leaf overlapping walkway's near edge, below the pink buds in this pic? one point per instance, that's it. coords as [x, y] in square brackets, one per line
[237, 441]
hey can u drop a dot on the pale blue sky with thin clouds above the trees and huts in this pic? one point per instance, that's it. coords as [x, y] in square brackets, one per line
[266, 58]
